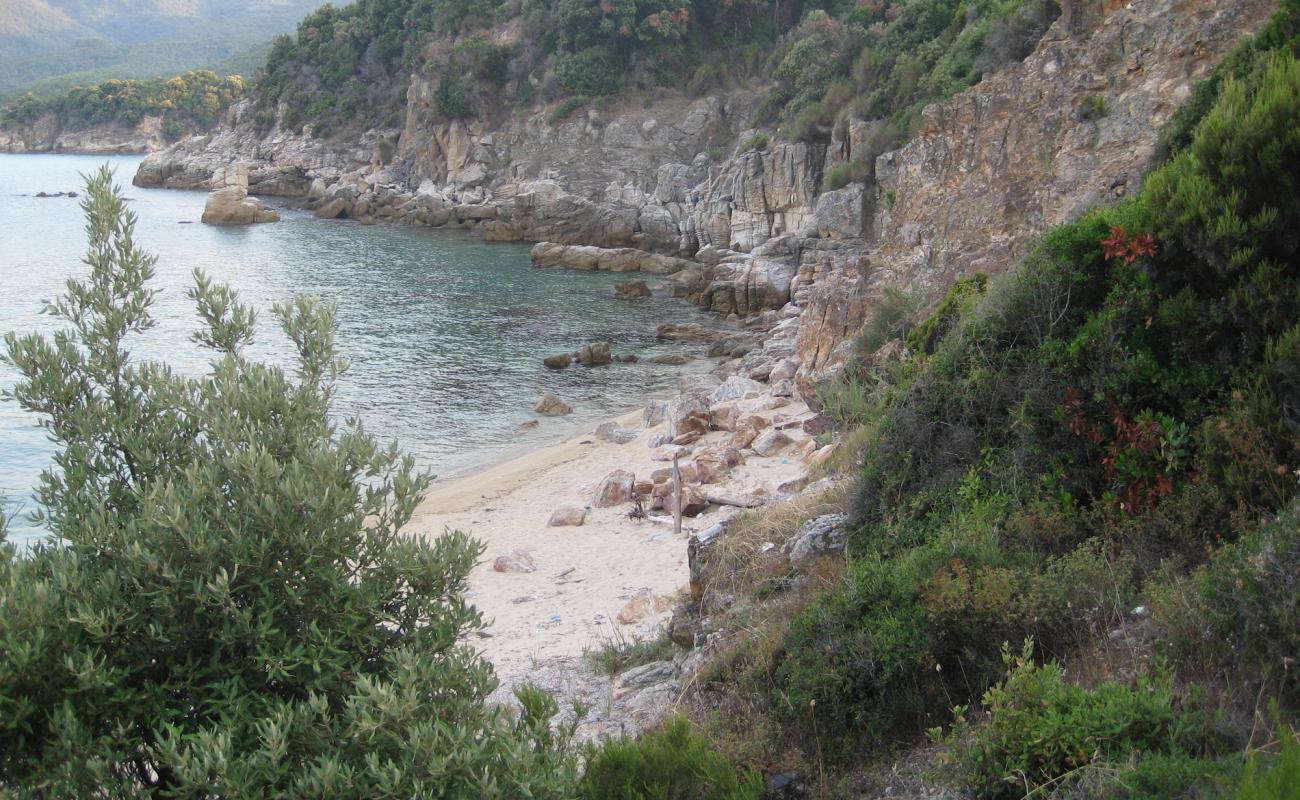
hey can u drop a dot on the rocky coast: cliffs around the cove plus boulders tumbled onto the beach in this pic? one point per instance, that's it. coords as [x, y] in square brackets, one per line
[683, 192]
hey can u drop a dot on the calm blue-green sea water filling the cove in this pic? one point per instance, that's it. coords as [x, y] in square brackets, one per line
[445, 332]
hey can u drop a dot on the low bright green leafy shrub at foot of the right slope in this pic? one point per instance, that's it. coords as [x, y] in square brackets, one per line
[1045, 733]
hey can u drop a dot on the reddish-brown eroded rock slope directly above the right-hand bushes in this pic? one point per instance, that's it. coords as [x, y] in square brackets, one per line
[1013, 157]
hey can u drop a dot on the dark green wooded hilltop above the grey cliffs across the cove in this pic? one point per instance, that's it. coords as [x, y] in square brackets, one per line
[349, 67]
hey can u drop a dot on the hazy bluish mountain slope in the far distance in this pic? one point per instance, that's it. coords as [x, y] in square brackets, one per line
[53, 45]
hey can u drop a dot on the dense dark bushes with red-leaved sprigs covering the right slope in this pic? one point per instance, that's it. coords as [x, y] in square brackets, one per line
[1125, 399]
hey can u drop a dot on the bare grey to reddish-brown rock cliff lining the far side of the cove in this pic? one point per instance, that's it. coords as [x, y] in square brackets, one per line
[1032, 146]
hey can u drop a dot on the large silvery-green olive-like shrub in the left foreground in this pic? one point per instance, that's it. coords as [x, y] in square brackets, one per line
[229, 607]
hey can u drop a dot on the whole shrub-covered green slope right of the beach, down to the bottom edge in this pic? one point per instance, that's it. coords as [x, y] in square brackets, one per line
[1113, 426]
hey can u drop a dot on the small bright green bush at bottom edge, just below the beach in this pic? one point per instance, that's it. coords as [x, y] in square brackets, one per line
[671, 764]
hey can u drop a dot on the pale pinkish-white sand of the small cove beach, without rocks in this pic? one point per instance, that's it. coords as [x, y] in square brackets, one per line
[584, 574]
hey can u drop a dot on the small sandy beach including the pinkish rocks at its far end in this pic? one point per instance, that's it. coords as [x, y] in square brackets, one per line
[614, 578]
